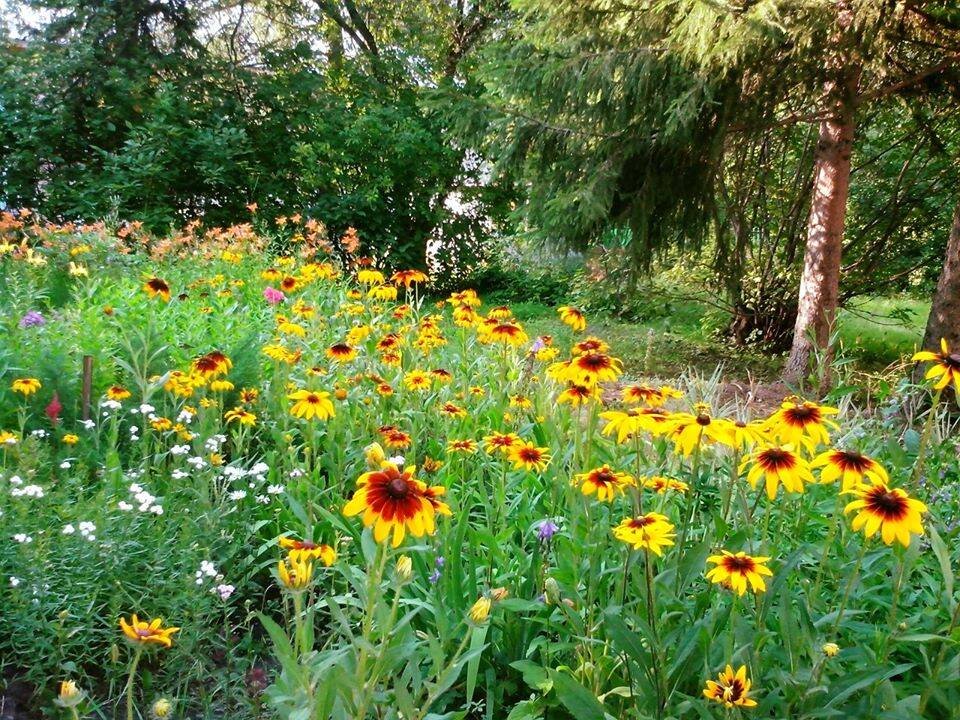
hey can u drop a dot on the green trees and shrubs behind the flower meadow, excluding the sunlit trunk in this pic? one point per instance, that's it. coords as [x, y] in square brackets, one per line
[654, 165]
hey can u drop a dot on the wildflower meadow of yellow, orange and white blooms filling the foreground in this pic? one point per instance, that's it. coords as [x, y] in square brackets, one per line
[253, 474]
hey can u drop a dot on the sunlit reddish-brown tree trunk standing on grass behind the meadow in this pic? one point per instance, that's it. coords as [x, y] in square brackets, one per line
[820, 282]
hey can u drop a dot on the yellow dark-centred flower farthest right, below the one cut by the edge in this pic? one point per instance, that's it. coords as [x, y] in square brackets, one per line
[890, 510]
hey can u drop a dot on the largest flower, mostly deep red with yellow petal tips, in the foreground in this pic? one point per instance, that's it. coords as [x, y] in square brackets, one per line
[396, 502]
